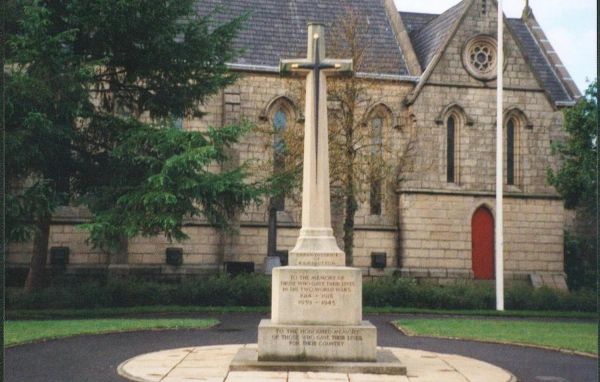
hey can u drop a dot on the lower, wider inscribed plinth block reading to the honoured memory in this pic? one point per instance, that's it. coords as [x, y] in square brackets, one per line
[348, 343]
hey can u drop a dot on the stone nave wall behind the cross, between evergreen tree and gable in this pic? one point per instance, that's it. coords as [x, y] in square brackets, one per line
[255, 93]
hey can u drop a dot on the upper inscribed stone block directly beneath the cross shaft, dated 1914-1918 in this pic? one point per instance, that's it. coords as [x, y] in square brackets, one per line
[316, 296]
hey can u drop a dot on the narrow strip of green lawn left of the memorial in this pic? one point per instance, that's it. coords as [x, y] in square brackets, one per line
[16, 332]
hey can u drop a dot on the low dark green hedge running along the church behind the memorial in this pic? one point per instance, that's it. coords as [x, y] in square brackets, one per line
[252, 291]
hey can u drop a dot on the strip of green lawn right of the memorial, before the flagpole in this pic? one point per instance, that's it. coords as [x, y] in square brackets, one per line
[561, 335]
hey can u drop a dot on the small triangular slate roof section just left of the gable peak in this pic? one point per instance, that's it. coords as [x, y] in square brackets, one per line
[428, 39]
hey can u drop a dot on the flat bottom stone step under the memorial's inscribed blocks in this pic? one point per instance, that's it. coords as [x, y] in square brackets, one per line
[386, 363]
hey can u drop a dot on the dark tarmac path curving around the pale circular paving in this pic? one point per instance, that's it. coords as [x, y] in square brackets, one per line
[95, 358]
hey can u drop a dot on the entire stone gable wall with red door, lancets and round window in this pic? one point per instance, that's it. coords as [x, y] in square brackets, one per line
[435, 215]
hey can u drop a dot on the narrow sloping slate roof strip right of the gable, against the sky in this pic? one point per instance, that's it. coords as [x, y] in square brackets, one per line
[538, 61]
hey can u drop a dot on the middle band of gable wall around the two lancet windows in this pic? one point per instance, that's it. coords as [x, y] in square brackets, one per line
[475, 151]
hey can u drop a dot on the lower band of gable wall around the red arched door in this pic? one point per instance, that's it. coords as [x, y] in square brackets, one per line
[436, 236]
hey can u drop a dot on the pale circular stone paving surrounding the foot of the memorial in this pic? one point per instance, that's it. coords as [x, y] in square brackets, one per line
[211, 364]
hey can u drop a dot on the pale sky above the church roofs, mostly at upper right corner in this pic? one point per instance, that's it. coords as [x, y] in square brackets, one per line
[569, 25]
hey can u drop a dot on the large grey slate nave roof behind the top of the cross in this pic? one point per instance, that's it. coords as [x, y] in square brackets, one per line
[277, 29]
